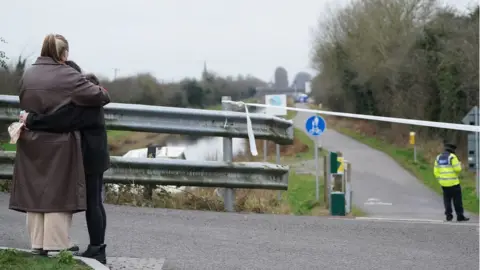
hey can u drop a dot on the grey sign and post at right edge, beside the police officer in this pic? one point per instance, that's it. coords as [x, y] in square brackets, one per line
[473, 118]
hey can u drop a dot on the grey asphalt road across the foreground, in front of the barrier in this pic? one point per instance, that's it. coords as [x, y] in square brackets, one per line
[211, 240]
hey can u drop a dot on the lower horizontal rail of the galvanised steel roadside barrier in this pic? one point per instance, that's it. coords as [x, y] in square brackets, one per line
[176, 172]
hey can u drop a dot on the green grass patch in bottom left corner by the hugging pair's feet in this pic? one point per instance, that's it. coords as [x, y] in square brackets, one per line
[11, 259]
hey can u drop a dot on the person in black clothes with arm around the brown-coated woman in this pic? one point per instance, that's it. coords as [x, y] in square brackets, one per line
[90, 122]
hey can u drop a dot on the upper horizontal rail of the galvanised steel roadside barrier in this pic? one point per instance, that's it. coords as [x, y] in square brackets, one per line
[172, 120]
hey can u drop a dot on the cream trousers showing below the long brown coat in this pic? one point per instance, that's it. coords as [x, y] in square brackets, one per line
[49, 231]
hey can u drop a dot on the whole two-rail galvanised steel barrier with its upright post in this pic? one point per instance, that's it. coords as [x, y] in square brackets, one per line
[157, 119]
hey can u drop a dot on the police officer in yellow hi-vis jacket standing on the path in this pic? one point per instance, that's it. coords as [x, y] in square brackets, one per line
[446, 170]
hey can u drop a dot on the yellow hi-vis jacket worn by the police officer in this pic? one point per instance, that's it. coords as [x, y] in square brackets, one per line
[446, 170]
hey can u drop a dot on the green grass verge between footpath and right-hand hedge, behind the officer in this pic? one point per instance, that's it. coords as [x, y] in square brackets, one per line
[423, 169]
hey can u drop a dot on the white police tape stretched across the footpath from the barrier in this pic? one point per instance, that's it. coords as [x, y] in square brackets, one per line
[414, 122]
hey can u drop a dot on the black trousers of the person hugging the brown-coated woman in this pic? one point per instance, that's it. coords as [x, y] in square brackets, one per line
[95, 214]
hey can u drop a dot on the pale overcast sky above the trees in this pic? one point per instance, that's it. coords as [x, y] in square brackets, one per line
[172, 38]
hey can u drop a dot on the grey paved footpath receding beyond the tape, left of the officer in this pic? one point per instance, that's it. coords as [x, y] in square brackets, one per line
[381, 187]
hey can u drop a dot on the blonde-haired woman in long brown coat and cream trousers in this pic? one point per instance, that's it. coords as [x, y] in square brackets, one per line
[49, 180]
